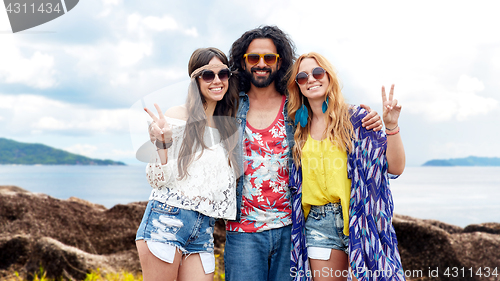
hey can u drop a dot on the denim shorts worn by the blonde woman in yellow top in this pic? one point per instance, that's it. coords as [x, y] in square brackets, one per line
[325, 231]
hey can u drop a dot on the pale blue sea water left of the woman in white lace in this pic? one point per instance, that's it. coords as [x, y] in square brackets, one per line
[105, 185]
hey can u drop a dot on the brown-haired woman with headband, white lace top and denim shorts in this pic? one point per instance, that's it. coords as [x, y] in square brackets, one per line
[193, 176]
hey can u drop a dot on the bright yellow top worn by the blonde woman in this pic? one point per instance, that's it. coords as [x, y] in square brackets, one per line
[324, 177]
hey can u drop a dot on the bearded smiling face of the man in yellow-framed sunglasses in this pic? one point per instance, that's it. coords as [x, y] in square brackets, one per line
[262, 74]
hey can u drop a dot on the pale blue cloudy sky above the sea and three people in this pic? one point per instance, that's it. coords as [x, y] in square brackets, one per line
[76, 82]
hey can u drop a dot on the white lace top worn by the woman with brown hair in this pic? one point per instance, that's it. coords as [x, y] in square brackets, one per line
[209, 187]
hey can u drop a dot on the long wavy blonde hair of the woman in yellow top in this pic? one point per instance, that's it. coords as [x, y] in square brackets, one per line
[339, 127]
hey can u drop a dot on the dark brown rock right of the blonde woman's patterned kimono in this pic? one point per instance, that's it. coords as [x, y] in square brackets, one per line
[432, 250]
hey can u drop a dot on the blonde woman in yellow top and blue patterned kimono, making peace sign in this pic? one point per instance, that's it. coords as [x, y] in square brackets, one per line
[342, 204]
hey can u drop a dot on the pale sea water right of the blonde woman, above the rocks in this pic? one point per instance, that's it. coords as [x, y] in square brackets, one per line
[455, 195]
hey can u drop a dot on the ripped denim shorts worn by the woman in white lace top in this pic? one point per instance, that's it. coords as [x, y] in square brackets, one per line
[164, 226]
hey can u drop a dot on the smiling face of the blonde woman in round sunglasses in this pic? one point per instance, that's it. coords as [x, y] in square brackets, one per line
[313, 89]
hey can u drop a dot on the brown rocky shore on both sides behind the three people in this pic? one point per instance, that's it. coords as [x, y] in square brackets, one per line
[68, 238]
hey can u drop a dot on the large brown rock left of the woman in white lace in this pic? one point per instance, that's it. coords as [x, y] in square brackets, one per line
[66, 237]
